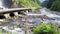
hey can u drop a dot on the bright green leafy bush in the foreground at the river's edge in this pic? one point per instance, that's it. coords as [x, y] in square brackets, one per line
[46, 29]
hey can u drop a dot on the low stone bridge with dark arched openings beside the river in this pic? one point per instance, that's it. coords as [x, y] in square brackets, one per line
[6, 13]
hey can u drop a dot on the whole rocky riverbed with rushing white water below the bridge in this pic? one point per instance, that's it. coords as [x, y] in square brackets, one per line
[32, 18]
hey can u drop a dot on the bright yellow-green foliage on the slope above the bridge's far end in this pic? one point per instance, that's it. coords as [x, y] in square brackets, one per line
[29, 3]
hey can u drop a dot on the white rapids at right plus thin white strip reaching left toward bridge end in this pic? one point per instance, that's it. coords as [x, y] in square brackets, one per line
[47, 13]
